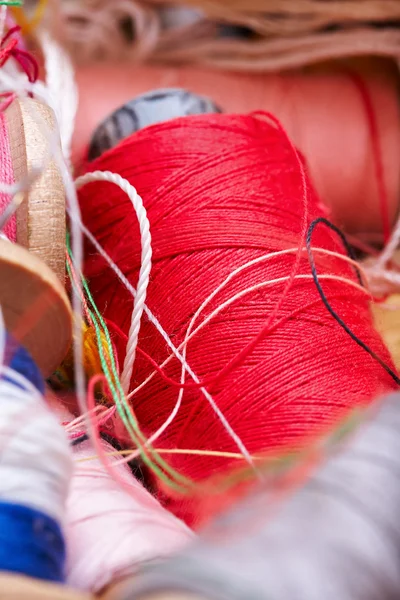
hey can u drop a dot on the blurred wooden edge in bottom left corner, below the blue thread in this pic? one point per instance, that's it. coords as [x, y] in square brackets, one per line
[17, 587]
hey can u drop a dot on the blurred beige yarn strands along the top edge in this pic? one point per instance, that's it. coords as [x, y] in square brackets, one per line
[282, 33]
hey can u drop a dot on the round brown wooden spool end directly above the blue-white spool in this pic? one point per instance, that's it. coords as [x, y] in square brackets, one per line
[35, 306]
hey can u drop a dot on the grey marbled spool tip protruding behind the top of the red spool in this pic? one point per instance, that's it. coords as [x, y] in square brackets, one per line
[153, 107]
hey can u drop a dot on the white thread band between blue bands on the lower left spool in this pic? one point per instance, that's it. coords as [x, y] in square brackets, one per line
[36, 463]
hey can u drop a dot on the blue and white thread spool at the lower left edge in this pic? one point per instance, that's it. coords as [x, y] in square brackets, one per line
[35, 469]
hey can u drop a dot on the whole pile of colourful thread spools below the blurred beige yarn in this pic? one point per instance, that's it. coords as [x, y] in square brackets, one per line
[215, 264]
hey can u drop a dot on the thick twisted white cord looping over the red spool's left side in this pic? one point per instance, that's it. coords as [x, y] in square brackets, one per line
[145, 268]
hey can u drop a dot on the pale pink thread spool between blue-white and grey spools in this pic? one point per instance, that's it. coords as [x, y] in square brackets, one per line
[114, 525]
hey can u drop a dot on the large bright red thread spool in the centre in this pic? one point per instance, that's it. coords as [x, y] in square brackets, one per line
[221, 191]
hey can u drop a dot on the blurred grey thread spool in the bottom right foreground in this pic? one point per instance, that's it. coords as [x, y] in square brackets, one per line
[337, 537]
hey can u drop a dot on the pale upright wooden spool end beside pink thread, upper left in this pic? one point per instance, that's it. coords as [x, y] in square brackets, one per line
[41, 217]
